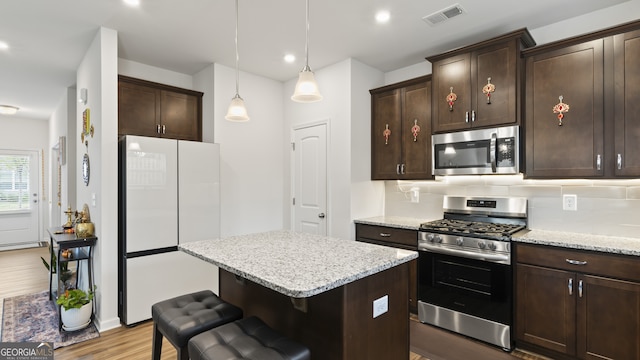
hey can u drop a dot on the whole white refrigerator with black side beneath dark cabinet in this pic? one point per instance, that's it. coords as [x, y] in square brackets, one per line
[169, 193]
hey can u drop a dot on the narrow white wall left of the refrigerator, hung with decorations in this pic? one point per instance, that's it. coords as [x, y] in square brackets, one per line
[98, 74]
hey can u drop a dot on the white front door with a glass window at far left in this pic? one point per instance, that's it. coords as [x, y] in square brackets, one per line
[19, 197]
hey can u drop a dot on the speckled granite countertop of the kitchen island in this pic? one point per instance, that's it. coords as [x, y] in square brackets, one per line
[297, 264]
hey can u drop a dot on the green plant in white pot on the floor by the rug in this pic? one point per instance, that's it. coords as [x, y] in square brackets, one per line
[76, 307]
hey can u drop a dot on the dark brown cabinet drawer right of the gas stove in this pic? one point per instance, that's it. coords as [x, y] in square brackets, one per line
[590, 262]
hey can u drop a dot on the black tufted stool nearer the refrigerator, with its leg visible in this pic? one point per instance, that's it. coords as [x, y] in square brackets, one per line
[180, 318]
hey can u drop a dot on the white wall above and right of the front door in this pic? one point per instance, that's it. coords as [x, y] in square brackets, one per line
[29, 134]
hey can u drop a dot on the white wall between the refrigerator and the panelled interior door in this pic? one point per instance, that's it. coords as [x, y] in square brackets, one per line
[251, 165]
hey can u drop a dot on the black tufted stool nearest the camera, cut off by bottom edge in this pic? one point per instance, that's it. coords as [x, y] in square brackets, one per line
[248, 338]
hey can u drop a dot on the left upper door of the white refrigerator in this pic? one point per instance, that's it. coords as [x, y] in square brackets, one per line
[151, 193]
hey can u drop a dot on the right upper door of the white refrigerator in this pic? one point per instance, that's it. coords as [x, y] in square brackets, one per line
[198, 191]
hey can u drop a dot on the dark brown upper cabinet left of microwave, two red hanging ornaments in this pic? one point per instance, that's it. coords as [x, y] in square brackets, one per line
[396, 110]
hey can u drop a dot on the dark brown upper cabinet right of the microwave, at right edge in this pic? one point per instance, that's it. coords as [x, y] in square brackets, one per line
[595, 75]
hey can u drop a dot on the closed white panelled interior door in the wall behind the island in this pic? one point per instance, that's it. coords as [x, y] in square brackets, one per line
[310, 179]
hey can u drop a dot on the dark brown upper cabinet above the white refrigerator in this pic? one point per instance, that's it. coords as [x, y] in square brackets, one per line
[151, 109]
